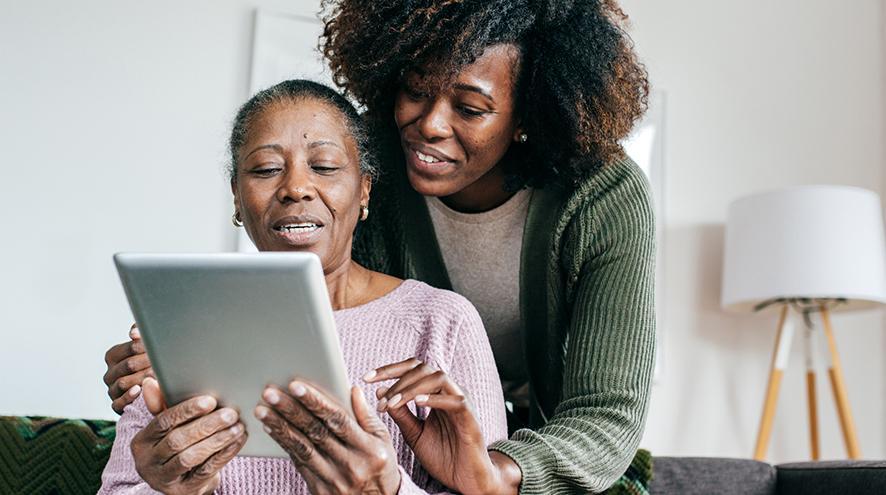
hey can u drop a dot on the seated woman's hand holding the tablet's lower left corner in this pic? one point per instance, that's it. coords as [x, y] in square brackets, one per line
[183, 449]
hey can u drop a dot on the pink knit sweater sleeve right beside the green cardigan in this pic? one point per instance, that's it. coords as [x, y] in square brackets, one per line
[473, 369]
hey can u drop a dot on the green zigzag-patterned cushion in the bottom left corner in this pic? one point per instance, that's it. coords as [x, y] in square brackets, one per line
[53, 455]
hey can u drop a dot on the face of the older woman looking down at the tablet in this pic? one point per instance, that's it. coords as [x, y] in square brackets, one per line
[299, 185]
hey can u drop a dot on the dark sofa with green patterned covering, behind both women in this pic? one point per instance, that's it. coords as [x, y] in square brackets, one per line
[66, 456]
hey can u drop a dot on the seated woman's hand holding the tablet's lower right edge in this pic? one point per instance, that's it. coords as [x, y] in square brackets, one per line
[333, 452]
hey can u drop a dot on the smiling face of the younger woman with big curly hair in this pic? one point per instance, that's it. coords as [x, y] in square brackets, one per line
[455, 138]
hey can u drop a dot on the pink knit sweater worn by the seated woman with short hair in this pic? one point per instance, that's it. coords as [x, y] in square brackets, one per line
[438, 327]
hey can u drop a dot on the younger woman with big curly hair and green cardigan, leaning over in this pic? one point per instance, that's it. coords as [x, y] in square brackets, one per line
[499, 123]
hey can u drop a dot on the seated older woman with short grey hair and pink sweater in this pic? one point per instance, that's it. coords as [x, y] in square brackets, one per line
[301, 178]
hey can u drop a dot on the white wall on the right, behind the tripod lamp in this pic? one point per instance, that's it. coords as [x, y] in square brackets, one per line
[761, 94]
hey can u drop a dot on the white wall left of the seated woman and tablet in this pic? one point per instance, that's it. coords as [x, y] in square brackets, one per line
[113, 128]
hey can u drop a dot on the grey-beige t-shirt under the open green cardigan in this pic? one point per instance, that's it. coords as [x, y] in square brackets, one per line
[482, 256]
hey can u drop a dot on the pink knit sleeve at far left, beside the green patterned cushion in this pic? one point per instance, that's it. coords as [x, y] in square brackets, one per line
[120, 476]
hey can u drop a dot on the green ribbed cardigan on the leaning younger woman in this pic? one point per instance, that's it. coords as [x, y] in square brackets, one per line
[587, 305]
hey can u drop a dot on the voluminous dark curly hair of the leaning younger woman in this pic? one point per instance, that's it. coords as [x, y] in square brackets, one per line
[580, 88]
